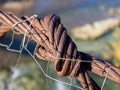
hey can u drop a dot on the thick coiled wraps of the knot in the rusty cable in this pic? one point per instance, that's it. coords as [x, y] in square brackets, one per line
[62, 47]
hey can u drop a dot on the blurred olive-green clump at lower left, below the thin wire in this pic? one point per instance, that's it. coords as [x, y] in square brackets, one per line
[30, 78]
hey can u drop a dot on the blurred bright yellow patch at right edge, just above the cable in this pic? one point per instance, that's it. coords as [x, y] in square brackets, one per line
[113, 48]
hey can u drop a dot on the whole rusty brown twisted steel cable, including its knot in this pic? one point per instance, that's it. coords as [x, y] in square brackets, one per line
[54, 44]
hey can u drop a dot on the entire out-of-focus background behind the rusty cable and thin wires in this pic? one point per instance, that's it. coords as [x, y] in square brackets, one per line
[94, 25]
